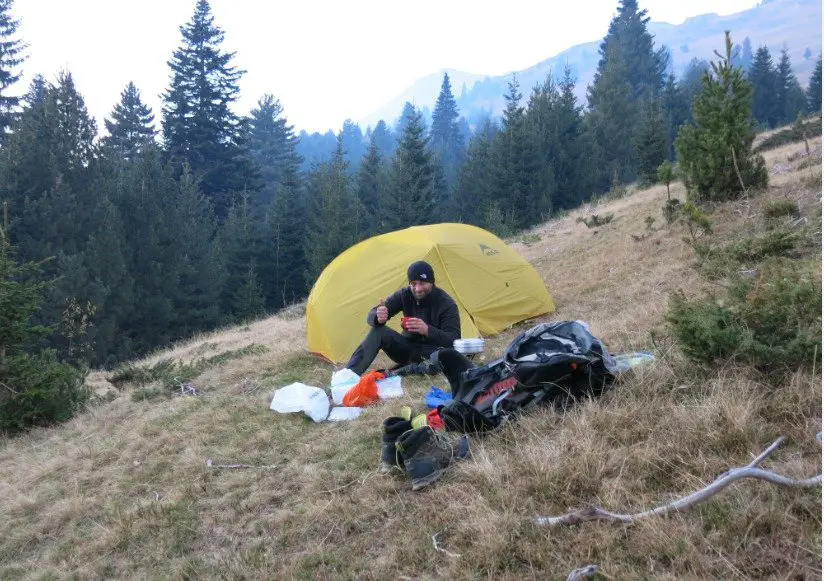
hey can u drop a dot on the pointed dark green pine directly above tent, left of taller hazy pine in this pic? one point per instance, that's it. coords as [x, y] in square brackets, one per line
[411, 199]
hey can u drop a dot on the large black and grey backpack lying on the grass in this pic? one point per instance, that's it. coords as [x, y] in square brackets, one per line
[551, 363]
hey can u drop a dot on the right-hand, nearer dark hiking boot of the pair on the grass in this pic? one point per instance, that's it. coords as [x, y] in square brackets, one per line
[426, 454]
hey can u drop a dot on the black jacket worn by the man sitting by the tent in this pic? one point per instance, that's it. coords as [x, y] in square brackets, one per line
[437, 310]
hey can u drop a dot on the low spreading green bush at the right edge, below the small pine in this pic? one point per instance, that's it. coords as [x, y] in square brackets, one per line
[772, 322]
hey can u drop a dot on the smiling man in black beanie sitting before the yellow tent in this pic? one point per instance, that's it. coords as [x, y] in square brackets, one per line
[431, 322]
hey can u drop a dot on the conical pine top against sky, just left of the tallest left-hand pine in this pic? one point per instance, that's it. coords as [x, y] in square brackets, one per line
[131, 126]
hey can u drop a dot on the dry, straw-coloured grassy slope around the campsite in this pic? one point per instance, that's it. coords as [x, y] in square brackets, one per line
[123, 490]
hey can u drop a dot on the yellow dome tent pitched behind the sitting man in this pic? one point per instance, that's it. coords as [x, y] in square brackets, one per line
[493, 285]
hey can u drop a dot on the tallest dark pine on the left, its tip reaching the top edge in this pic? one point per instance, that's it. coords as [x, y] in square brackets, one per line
[199, 127]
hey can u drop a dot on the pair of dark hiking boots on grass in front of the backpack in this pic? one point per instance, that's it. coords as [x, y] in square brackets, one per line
[421, 452]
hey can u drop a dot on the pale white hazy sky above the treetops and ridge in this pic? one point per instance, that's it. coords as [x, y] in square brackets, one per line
[325, 61]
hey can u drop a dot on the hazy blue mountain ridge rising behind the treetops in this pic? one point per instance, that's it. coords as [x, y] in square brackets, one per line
[776, 23]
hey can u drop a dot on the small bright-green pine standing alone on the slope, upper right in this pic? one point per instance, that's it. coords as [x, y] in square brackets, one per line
[716, 152]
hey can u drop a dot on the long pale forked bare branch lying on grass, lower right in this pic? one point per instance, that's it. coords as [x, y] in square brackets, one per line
[749, 471]
